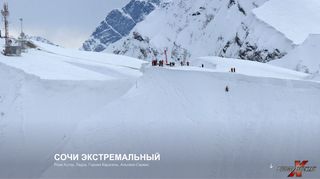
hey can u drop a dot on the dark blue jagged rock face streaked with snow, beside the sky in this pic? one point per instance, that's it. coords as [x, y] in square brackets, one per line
[118, 24]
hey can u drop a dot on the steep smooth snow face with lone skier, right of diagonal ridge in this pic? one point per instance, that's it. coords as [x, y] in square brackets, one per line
[200, 130]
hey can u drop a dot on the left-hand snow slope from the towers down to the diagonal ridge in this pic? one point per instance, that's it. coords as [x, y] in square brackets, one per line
[43, 96]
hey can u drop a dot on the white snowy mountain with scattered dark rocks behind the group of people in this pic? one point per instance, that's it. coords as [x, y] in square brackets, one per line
[191, 29]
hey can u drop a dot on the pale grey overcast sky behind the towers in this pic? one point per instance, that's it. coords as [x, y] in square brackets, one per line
[65, 22]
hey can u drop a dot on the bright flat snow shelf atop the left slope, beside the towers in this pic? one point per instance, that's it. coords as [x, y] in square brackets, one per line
[55, 63]
